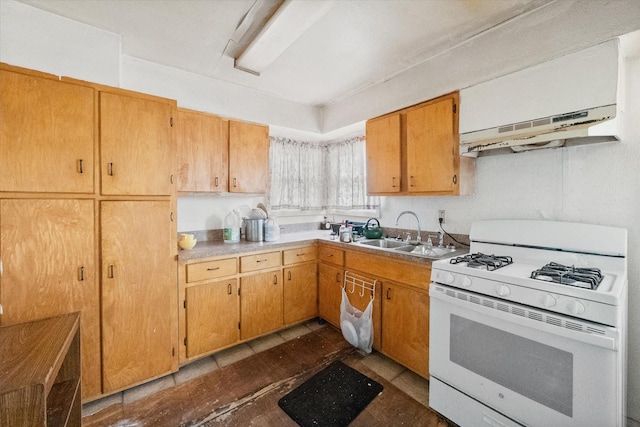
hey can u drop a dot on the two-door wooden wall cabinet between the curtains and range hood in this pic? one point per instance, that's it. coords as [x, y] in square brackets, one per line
[415, 151]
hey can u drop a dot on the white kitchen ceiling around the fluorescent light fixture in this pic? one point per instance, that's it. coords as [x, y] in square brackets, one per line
[356, 44]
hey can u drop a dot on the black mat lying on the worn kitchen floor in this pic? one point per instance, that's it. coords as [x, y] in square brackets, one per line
[331, 398]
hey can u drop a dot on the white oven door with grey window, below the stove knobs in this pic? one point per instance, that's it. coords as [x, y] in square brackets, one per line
[522, 363]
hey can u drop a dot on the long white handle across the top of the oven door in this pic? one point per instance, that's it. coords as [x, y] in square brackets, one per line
[607, 342]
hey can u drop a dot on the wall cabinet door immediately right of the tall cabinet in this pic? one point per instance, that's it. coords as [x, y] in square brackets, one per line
[203, 152]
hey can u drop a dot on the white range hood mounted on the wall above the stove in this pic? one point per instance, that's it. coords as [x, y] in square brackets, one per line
[566, 101]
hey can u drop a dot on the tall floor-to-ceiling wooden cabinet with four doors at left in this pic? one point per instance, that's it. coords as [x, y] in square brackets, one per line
[87, 221]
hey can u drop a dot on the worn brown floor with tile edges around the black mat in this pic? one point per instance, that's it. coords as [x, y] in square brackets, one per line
[321, 342]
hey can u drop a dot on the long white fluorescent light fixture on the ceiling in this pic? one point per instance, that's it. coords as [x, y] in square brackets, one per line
[292, 19]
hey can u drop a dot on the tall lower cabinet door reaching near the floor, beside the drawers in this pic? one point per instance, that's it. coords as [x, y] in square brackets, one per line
[139, 299]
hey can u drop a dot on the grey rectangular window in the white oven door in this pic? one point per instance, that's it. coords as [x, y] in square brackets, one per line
[532, 369]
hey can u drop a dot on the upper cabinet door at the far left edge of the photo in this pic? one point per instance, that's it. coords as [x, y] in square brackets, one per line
[46, 135]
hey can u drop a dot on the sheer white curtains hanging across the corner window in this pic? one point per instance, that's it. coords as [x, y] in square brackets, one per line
[319, 176]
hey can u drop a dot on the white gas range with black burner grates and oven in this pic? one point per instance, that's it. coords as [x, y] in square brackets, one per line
[509, 346]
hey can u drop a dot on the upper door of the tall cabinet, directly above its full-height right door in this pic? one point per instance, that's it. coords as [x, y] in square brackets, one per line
[135, 145]
